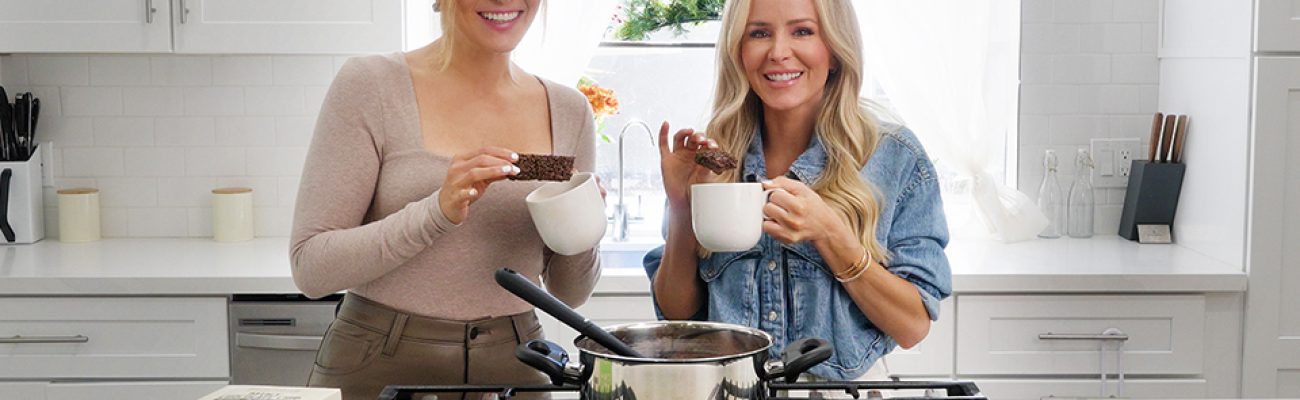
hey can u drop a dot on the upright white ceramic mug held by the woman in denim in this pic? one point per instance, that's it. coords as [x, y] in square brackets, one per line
[727, 218]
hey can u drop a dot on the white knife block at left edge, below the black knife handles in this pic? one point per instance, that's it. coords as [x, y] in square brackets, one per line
[25, 202]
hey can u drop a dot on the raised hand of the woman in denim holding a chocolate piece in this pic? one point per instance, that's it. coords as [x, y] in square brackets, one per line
[678, 163]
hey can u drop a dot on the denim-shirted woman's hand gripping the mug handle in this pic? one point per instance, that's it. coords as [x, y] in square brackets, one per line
[796, 214]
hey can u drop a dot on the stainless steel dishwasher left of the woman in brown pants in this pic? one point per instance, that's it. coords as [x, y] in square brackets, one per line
[275, 338]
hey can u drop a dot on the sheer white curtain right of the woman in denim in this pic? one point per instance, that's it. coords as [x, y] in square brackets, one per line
[941, 63]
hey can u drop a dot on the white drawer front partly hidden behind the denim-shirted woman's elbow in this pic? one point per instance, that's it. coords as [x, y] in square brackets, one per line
[934, 356]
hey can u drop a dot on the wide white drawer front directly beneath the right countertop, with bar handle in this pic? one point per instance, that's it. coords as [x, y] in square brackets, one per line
[1002, 334]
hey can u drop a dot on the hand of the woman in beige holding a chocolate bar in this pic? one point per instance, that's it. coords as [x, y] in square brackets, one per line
[470, 176]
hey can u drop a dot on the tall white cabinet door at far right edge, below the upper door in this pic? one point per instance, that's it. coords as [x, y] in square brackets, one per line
[1272, 360]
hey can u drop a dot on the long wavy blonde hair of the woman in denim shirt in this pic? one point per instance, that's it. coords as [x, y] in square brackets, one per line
[844, 125]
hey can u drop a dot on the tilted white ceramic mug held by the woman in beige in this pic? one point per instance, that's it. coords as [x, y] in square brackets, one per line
[570, 216]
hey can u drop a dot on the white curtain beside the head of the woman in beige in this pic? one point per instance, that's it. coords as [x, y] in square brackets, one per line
[564, 38]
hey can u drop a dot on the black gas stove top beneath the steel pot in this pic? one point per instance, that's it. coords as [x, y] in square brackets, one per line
[892, 390]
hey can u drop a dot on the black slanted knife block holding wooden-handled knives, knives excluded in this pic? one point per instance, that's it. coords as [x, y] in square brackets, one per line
[1152, 197]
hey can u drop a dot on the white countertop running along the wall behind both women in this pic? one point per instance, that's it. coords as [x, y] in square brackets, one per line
[203, 267]
